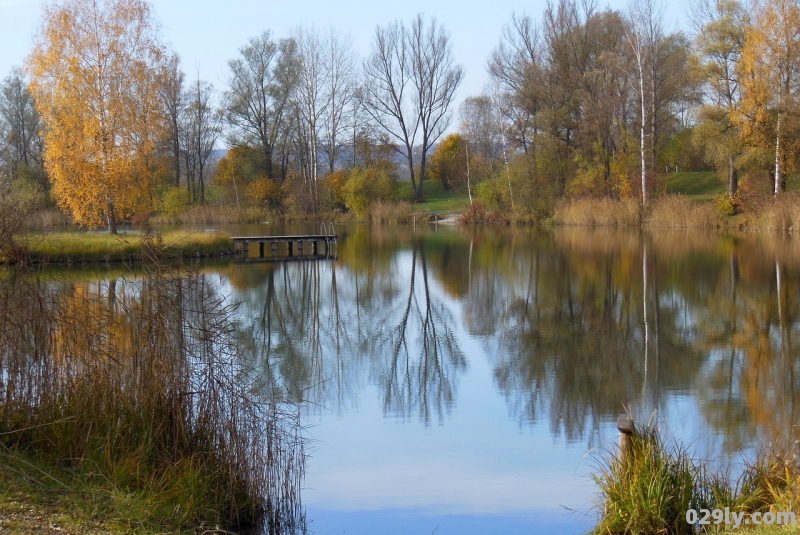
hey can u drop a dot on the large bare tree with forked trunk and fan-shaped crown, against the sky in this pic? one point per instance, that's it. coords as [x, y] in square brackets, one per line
[410, 80]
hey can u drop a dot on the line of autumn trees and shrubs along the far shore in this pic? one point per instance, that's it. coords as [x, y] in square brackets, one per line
[582, 102]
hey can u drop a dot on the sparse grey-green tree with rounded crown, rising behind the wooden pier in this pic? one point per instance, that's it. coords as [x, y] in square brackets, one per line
[260, 85]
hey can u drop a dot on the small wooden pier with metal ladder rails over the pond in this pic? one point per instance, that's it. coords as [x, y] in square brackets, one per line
[299, 247]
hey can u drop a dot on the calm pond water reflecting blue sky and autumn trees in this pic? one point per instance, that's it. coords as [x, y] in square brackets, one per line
[460, 381]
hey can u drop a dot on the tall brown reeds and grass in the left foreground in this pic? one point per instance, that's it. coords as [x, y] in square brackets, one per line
[137, 386]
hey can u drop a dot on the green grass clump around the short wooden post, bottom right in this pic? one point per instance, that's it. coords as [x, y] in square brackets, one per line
[650, 489]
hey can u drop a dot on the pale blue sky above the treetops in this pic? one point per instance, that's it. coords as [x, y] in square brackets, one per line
[207, 33]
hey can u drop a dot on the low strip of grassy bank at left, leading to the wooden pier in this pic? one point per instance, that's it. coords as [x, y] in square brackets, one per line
[77, 247]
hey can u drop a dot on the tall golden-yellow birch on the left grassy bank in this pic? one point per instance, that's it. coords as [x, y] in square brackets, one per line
[95, 70]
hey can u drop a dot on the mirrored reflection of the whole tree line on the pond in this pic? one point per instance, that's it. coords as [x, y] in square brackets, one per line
[575, 324]
